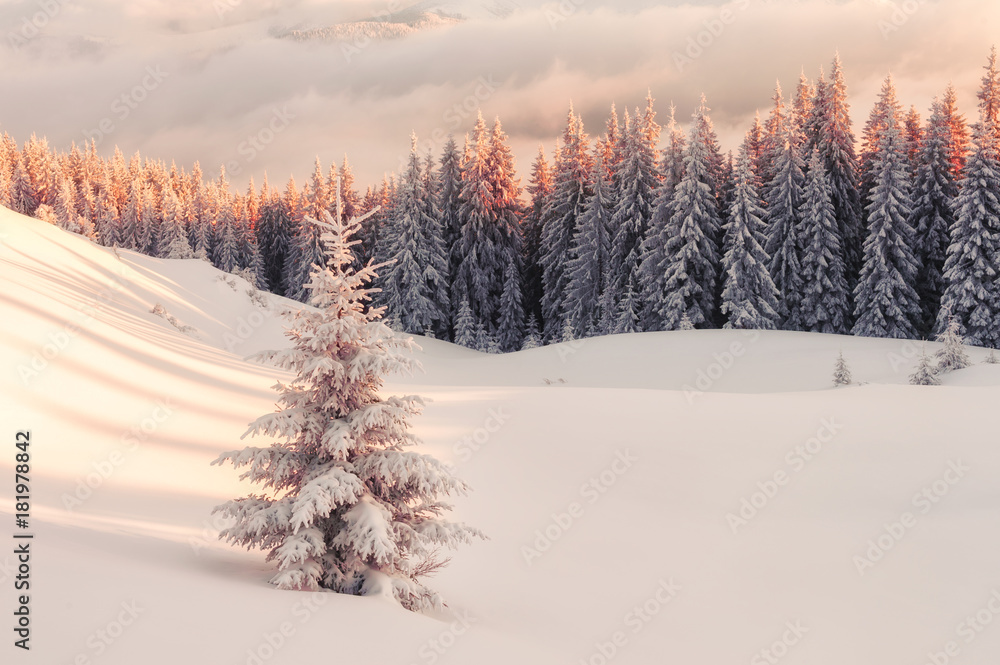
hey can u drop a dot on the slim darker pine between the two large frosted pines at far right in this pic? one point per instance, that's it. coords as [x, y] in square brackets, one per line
[934, 192]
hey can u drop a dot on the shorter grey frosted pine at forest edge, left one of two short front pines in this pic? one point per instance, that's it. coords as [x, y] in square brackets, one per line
[749, 299]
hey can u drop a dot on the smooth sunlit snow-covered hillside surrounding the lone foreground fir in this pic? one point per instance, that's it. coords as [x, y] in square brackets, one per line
[698, 497]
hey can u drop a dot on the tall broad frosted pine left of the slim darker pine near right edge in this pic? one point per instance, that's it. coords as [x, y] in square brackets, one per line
[886, 304]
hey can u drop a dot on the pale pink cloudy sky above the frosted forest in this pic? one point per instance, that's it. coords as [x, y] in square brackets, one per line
[201, 77]
